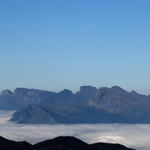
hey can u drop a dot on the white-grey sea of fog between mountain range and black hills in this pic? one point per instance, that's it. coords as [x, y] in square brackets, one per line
[135, 136]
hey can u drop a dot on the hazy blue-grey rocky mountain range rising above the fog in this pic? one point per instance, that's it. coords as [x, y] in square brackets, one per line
[88, 105]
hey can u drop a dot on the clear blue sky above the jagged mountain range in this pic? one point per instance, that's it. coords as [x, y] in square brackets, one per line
[57, 44]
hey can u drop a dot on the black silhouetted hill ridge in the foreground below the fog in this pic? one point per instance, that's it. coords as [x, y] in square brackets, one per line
[59, 143]
